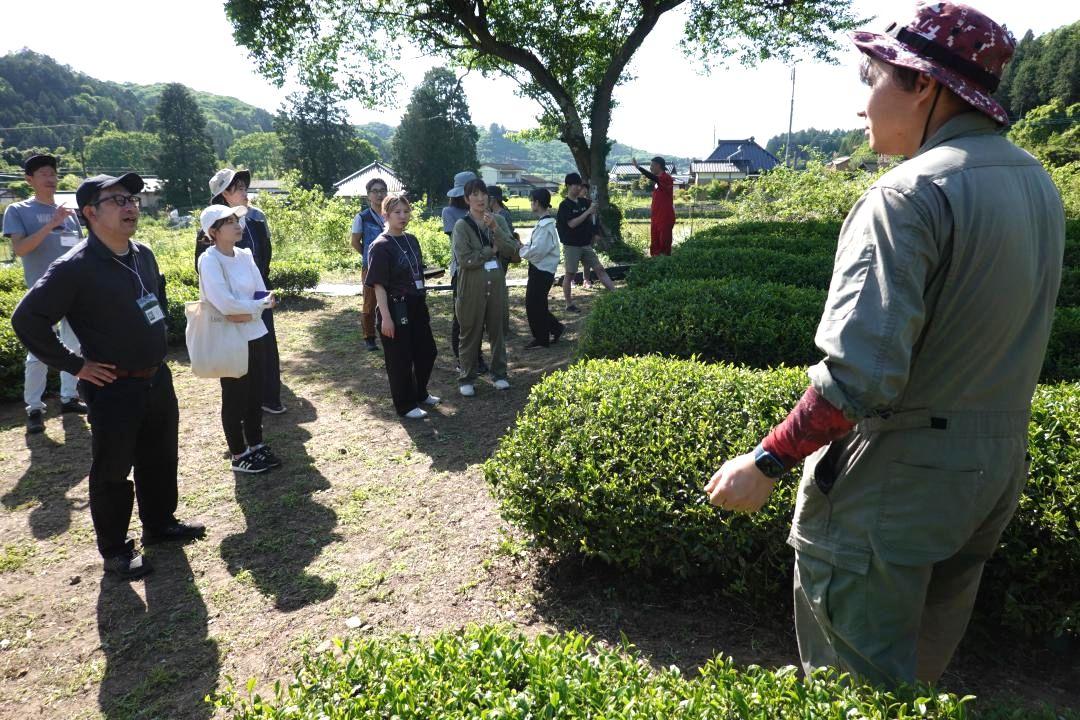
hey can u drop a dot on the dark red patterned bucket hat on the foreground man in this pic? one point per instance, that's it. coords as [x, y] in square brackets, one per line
[956, 45]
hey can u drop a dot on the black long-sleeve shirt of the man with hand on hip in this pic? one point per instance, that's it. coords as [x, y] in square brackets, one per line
[98, 292]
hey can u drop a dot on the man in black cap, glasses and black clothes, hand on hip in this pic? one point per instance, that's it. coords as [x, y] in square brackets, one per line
[112, 292]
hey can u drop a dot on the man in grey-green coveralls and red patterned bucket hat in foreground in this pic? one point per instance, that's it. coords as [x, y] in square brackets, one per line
[914, 427]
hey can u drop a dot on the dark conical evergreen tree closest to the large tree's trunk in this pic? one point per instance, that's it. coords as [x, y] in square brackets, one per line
[437, 138]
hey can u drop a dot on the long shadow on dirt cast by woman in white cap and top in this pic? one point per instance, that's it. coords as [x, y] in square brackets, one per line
[286, 528]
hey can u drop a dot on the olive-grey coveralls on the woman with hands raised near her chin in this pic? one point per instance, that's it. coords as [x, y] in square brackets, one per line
[482, 295]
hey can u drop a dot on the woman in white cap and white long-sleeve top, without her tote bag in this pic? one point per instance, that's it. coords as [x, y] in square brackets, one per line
[231, 281]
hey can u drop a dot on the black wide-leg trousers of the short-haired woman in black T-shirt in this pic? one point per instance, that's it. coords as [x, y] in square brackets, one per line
[410, 356]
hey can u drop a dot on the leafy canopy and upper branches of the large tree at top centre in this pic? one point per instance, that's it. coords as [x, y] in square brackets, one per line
[568, 56]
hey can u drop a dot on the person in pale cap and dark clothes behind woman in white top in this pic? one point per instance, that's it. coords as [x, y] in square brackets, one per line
[229, 187]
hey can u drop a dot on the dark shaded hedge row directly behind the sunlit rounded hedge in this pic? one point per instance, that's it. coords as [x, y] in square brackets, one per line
[739, 321]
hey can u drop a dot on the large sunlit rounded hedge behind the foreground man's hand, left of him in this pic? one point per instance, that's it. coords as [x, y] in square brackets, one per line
[610, 458]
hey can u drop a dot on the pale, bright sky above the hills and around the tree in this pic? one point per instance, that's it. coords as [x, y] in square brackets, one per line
[668, 108]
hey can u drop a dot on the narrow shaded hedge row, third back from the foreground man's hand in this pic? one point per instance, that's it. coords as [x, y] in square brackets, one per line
[760, 265]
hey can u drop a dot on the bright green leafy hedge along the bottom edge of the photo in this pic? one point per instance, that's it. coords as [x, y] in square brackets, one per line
[497, 674]
